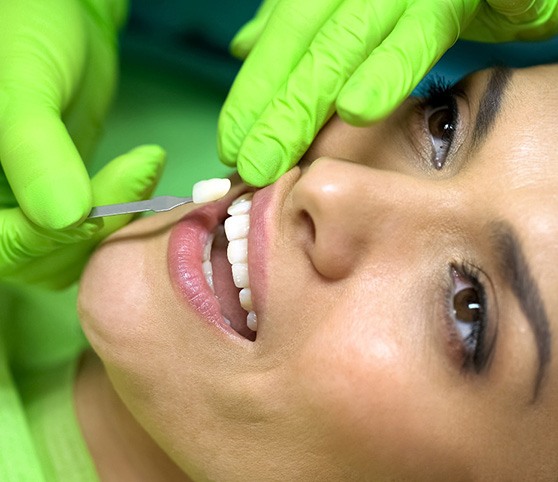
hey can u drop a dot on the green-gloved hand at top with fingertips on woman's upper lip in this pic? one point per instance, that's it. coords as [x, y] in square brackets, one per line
[359, 57]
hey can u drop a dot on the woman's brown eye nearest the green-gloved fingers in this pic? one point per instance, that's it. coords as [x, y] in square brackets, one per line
[441, 122]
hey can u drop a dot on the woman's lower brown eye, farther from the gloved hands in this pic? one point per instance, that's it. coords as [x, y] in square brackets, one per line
[467, 306]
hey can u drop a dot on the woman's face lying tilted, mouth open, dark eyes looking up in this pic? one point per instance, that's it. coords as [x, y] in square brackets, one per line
[404, 282]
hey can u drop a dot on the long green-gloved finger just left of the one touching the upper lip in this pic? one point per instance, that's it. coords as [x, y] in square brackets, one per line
[288, 34]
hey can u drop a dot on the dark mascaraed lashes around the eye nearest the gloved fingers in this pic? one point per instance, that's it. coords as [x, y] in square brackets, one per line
[438, 94]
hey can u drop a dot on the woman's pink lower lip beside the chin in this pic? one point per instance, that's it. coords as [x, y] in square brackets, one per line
[185, 252]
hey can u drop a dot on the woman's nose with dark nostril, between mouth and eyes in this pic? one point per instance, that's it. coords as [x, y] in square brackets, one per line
[353, 210]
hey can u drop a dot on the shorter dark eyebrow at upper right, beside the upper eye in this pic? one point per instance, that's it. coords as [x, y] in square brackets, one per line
[490, 103]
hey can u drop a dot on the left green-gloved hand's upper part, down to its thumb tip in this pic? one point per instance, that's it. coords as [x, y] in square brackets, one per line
[57, 76]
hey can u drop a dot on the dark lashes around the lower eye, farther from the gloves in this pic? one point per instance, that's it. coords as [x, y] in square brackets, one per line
[473, 349]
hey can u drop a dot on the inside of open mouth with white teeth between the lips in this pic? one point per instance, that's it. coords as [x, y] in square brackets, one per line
[225, 266]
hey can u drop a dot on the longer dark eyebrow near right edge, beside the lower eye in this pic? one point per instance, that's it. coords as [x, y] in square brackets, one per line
[515, 268]
